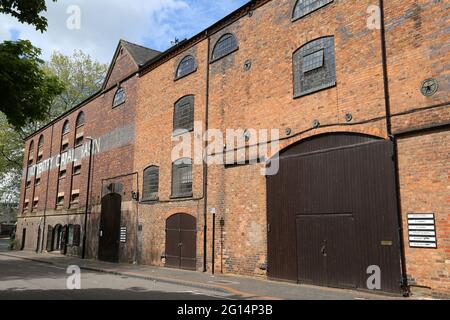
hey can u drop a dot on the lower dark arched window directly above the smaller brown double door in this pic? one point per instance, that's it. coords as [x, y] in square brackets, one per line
[182, 178]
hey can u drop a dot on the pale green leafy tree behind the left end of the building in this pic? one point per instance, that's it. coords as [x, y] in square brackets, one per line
[81, 77]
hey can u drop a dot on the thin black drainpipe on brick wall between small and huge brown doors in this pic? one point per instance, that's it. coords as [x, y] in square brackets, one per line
[205, 164]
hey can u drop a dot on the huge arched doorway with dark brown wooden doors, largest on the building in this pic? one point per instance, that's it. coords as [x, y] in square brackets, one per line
[332, 213]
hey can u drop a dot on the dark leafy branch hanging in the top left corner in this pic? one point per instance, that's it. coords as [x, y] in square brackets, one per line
[26, 11]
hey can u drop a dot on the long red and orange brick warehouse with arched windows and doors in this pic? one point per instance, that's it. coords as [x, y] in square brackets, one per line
[359, 93]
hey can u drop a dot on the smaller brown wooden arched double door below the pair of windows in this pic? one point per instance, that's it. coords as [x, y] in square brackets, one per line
[181, 242]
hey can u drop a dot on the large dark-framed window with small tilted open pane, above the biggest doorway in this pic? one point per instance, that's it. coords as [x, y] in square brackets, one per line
[314, 66]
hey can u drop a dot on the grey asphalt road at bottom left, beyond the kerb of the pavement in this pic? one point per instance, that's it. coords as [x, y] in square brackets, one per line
[28, 280]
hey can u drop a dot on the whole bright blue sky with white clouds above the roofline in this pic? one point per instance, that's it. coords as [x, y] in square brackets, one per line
[152, 23]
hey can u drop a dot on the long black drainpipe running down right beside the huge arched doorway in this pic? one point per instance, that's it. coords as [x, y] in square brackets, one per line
[404, 279]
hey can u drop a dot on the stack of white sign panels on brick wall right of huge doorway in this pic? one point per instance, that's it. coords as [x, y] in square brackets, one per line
[422, 230]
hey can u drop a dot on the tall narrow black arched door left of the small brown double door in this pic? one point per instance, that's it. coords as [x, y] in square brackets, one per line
[109, 238]
